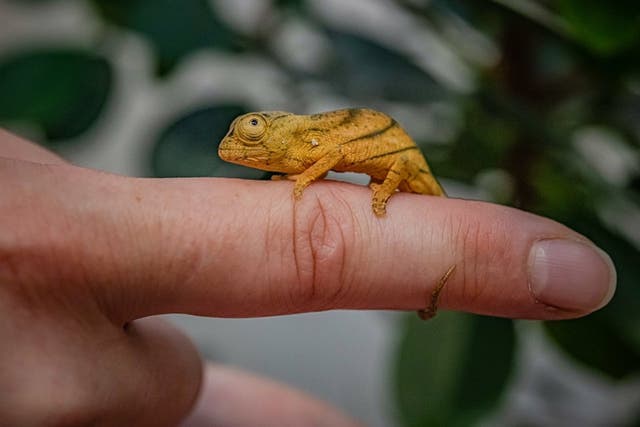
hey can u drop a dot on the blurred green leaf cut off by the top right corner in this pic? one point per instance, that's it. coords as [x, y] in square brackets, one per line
[604, 27]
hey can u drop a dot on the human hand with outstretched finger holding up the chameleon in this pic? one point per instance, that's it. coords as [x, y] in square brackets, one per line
[85, 255]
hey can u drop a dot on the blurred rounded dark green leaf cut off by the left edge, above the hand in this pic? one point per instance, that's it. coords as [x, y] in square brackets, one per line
[61, 90]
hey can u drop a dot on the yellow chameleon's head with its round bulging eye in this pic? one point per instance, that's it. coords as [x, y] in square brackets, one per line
[254, 141]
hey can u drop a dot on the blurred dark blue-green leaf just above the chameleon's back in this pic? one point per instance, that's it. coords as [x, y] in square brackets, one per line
[365, 70]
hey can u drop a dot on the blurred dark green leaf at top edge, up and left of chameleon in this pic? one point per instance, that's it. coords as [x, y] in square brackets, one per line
[175, 28]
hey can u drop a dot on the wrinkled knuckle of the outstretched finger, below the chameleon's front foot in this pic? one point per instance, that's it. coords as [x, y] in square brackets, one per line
[323, 226]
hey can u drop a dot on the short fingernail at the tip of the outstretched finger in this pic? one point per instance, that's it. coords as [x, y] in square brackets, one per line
[571, 275]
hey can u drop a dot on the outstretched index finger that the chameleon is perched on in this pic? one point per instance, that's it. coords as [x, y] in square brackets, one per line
[235, 248]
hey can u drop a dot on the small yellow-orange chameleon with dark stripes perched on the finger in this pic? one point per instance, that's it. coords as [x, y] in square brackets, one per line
[306, 147]
